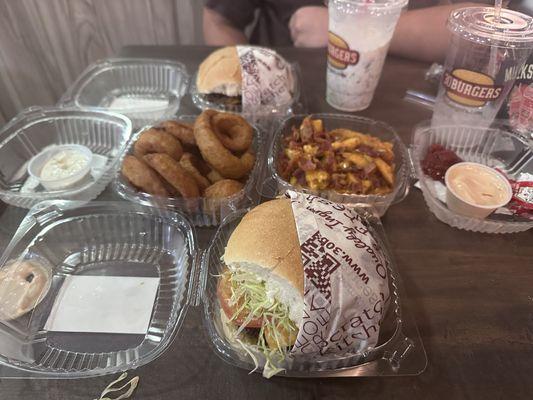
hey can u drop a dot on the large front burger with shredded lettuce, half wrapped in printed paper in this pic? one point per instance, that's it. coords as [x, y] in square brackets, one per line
[305, 279]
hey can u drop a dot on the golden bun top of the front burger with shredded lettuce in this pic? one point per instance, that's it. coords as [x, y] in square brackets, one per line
[266, 243]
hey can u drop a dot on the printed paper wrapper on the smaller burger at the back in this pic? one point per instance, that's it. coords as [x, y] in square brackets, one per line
[267, 80]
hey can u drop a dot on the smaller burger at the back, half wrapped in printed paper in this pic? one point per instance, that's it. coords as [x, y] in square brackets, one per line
[252, 78]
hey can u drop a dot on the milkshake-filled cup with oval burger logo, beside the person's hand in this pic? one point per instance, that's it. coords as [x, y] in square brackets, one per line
[359, 35]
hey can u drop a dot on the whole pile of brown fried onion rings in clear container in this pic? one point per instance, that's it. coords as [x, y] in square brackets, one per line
[211, 158]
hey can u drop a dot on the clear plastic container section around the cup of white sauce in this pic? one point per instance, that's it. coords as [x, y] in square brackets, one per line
[37, 129]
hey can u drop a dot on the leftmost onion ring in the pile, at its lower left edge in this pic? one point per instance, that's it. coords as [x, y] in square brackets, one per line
[143, 177]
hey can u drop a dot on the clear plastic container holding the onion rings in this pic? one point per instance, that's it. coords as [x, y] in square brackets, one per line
[201, 211]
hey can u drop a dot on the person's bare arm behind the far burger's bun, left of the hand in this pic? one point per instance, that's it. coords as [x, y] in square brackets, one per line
[218, 31]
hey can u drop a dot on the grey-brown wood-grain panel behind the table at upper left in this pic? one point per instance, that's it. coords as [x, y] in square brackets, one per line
[46, 44]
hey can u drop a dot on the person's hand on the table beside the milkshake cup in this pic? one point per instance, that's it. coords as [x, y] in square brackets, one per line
[309, 27]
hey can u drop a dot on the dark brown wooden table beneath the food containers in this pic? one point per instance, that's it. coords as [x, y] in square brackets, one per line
[471, 294]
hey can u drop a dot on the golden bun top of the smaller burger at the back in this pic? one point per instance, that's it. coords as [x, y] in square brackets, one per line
[220, 73]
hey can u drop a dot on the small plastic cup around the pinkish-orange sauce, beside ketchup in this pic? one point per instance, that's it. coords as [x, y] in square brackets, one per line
[467, 208]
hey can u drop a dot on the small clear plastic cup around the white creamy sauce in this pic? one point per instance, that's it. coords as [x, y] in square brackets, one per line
[37, 163]
